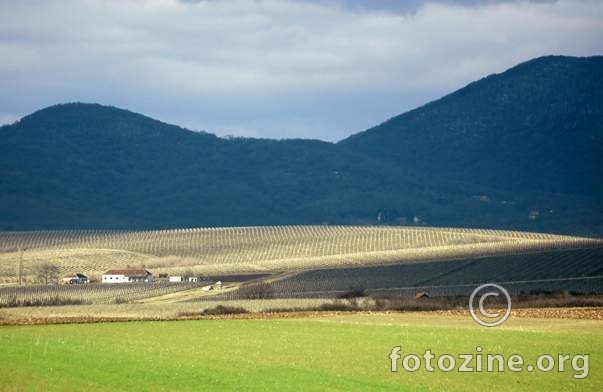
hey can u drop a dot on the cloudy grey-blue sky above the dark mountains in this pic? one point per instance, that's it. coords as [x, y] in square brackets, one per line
[321, 69]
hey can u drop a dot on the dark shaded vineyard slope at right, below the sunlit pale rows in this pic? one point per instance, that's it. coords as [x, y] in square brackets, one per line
[577, 270]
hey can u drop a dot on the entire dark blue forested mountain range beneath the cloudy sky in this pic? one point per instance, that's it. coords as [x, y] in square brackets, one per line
[520, 150]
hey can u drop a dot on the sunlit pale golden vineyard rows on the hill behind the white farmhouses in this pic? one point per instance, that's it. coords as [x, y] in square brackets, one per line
[216, 251]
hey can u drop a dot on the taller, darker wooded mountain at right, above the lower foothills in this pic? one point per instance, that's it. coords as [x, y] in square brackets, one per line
[535, 127]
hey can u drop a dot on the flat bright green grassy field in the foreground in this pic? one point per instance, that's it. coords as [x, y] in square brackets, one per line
[336, 352]
